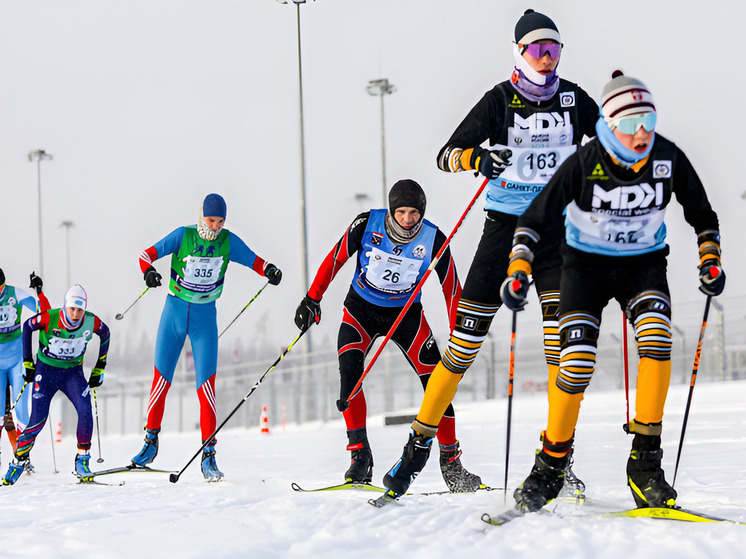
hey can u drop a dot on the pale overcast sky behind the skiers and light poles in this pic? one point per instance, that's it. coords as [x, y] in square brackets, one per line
[149, 105]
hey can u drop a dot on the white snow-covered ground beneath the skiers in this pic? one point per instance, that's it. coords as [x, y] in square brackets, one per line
[255, 513]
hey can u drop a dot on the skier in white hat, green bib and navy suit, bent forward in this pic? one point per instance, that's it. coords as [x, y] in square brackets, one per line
[64, 334]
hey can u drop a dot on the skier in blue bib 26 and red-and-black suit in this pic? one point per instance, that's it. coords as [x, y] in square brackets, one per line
[394, 250]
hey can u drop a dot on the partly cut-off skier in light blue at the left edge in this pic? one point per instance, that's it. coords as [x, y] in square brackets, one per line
[12, 301]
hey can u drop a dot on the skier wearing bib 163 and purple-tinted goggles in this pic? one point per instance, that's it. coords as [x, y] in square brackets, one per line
[516, 136]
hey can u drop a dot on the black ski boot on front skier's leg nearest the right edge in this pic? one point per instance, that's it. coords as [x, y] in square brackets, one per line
[645, 476]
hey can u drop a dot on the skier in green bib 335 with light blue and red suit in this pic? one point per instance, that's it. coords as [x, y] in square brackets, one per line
[199, 258]
